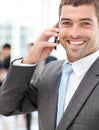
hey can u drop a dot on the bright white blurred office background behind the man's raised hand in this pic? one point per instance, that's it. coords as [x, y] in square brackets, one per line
[22, 21]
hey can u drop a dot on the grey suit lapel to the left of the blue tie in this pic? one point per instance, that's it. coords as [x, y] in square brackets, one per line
[53, 98]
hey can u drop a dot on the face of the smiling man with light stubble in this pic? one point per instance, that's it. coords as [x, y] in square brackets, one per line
[78, 31]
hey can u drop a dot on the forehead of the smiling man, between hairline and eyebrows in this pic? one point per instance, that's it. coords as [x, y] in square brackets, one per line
[83, 11]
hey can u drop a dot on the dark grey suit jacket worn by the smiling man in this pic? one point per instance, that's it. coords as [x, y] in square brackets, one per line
[18, 96]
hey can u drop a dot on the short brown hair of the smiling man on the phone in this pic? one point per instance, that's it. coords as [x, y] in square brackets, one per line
[80, 2]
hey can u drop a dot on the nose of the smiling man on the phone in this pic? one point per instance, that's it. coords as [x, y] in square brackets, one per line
[75, 32]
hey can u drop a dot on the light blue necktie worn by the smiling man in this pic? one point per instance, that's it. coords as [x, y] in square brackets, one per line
[67, 69]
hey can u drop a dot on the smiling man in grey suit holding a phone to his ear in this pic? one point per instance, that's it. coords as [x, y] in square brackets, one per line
[78, 33]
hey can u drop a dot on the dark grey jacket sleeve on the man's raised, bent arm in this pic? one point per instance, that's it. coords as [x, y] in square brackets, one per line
[17, 94]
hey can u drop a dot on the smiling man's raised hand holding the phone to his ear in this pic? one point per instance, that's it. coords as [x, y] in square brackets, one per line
[42, 48]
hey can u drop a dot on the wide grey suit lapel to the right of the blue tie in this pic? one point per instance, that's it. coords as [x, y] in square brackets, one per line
[81, 95]
